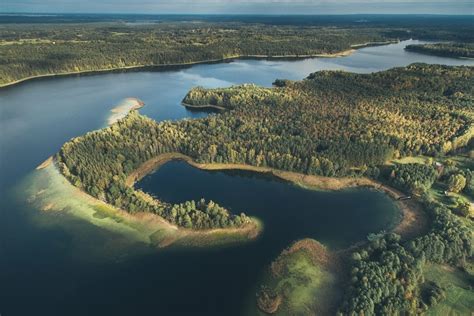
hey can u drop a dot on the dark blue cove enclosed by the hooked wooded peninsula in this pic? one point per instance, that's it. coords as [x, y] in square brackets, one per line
[337, 218]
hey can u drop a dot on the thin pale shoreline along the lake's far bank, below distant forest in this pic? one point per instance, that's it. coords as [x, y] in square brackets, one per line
[161, 67]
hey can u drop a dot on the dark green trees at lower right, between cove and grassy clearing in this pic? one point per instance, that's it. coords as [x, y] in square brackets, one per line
[387, 275]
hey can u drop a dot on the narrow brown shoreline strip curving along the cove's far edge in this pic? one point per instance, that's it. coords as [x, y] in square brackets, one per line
[413, 218]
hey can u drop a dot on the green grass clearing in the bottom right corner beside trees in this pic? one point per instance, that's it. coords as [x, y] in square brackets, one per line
[458, 286]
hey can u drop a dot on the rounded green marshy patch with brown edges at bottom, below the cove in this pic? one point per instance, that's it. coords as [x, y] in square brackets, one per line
[301, 281]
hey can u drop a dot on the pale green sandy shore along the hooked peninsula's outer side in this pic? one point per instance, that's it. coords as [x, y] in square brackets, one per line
[51, 192]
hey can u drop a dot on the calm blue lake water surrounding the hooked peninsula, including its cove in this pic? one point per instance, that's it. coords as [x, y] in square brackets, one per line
[70, 267]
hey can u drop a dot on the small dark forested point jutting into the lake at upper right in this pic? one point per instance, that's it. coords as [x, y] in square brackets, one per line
[445, 49]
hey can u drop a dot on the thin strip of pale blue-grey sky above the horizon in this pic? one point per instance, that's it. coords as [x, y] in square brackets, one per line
[241, 6]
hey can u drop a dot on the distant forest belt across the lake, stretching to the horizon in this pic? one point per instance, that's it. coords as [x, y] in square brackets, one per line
[39, 49]
